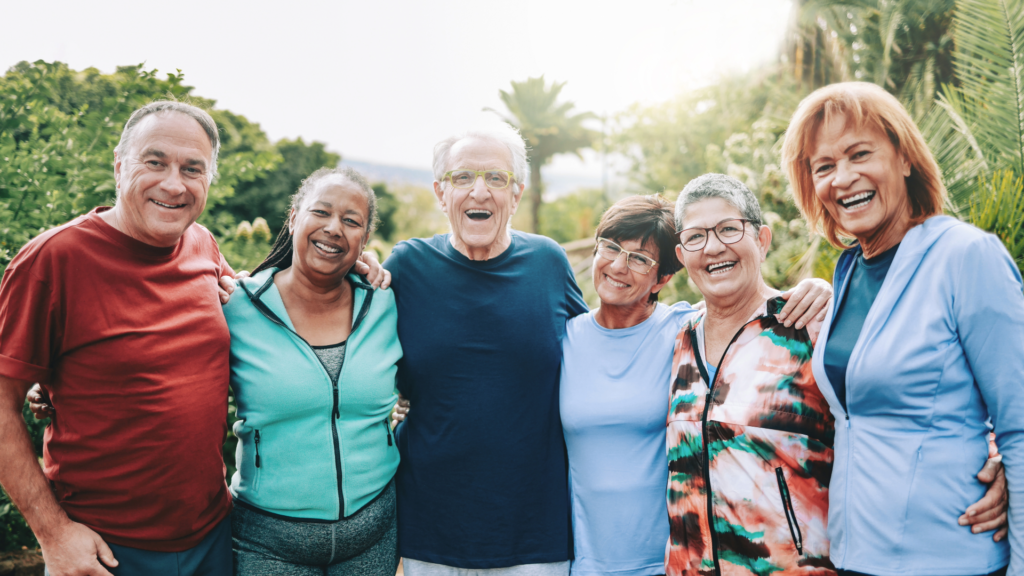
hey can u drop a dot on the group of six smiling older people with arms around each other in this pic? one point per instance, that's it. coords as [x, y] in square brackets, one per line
[799, 433]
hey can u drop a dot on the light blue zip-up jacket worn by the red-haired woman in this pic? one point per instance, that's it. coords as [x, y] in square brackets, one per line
[942, 351]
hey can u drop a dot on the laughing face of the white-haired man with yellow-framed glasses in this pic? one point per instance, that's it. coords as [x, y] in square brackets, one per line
[480, 216]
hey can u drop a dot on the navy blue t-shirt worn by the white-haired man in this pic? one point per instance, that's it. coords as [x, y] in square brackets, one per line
[483, 480]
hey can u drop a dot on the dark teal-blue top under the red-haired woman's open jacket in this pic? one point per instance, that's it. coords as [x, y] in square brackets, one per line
[866, 282]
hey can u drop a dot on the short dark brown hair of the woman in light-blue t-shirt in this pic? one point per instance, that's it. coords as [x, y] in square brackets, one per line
[644, 219]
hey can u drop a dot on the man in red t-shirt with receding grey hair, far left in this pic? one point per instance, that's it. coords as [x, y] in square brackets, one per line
[117, 315]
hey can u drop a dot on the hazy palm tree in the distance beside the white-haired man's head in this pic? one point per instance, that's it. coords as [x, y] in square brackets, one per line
[548, 127]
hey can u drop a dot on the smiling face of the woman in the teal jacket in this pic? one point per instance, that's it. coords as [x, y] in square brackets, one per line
[329, 230]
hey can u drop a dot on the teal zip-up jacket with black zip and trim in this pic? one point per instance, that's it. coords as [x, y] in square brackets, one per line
[310, 448]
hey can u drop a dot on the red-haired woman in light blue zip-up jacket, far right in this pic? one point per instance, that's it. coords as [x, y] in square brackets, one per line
[924, 344]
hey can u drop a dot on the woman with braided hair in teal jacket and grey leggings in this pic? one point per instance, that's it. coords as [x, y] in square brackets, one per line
[314, 362]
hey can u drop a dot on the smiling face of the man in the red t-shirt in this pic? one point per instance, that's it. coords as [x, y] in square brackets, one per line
[163, 180]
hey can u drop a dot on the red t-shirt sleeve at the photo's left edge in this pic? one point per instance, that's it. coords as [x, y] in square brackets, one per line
[28, 315]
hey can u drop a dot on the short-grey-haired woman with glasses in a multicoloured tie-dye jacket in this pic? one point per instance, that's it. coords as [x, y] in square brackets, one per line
[749, 434]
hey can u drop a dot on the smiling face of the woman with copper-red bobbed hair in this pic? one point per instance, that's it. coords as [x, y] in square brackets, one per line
[861, 180]
